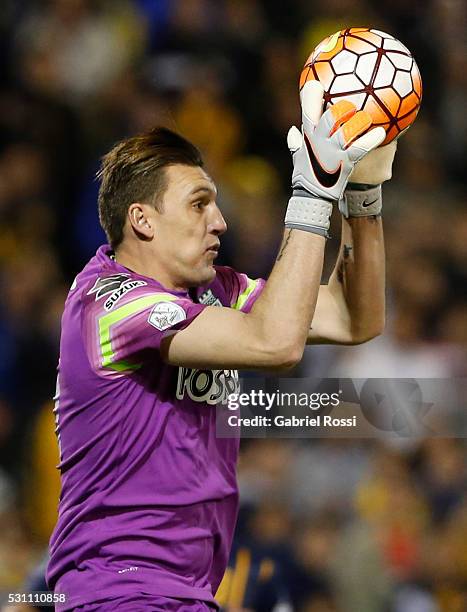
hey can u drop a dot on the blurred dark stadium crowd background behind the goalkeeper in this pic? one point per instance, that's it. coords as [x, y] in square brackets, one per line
[357, 526]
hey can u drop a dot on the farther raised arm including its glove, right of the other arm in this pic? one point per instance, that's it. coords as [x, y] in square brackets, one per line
[351, 308]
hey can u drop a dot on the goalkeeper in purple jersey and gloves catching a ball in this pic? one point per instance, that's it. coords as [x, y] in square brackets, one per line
[152, 333]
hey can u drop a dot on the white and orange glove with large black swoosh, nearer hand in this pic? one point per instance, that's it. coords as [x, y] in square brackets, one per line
[324, 155]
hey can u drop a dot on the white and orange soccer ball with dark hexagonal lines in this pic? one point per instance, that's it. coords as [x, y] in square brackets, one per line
[371, 69]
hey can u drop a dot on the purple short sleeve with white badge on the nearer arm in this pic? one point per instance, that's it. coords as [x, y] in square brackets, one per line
[117, 335]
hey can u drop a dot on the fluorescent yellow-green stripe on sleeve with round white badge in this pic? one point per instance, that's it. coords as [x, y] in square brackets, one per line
[107, 321]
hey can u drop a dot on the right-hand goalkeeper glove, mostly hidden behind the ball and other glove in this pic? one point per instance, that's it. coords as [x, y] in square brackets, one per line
[362, 197]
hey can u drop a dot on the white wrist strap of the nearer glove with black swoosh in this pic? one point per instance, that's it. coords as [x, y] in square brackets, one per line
[309, 214]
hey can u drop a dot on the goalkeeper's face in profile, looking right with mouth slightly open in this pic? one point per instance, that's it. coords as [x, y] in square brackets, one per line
[187, 230]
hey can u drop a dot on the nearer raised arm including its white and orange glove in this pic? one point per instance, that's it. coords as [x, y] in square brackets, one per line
[274, 333]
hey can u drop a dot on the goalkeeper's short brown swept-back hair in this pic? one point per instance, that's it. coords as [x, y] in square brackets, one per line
[134, 171]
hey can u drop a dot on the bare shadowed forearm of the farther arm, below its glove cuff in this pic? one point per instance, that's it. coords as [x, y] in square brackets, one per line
[358, 280]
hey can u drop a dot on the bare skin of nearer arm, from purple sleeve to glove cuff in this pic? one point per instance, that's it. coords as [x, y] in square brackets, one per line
[223, 337]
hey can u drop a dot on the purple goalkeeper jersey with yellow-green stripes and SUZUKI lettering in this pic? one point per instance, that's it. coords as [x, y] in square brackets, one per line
[149, 494]
